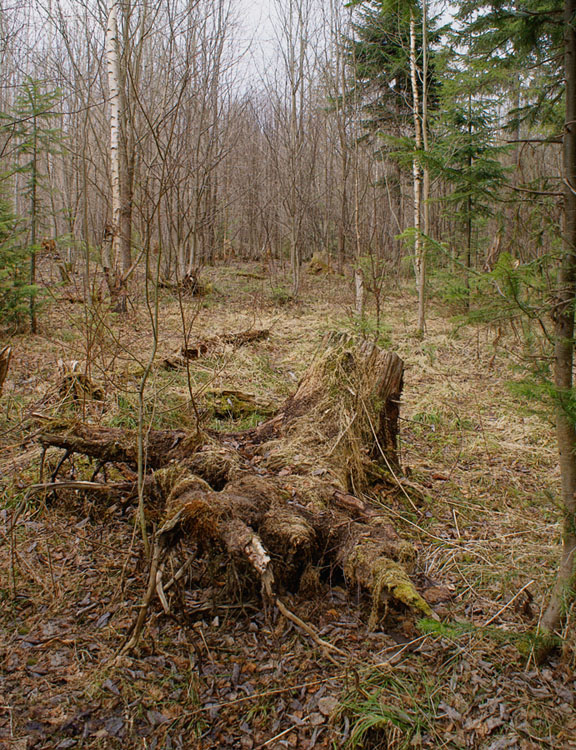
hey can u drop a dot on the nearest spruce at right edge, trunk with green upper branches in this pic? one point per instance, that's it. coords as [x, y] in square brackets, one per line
[537, 38]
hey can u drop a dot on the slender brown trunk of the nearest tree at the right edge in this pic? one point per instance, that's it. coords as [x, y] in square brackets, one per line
[564, 589]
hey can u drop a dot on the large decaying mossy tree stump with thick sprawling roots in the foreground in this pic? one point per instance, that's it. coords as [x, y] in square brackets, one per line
[284, 502]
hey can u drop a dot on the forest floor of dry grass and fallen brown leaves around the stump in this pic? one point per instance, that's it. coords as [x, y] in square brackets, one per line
[220, 673]
